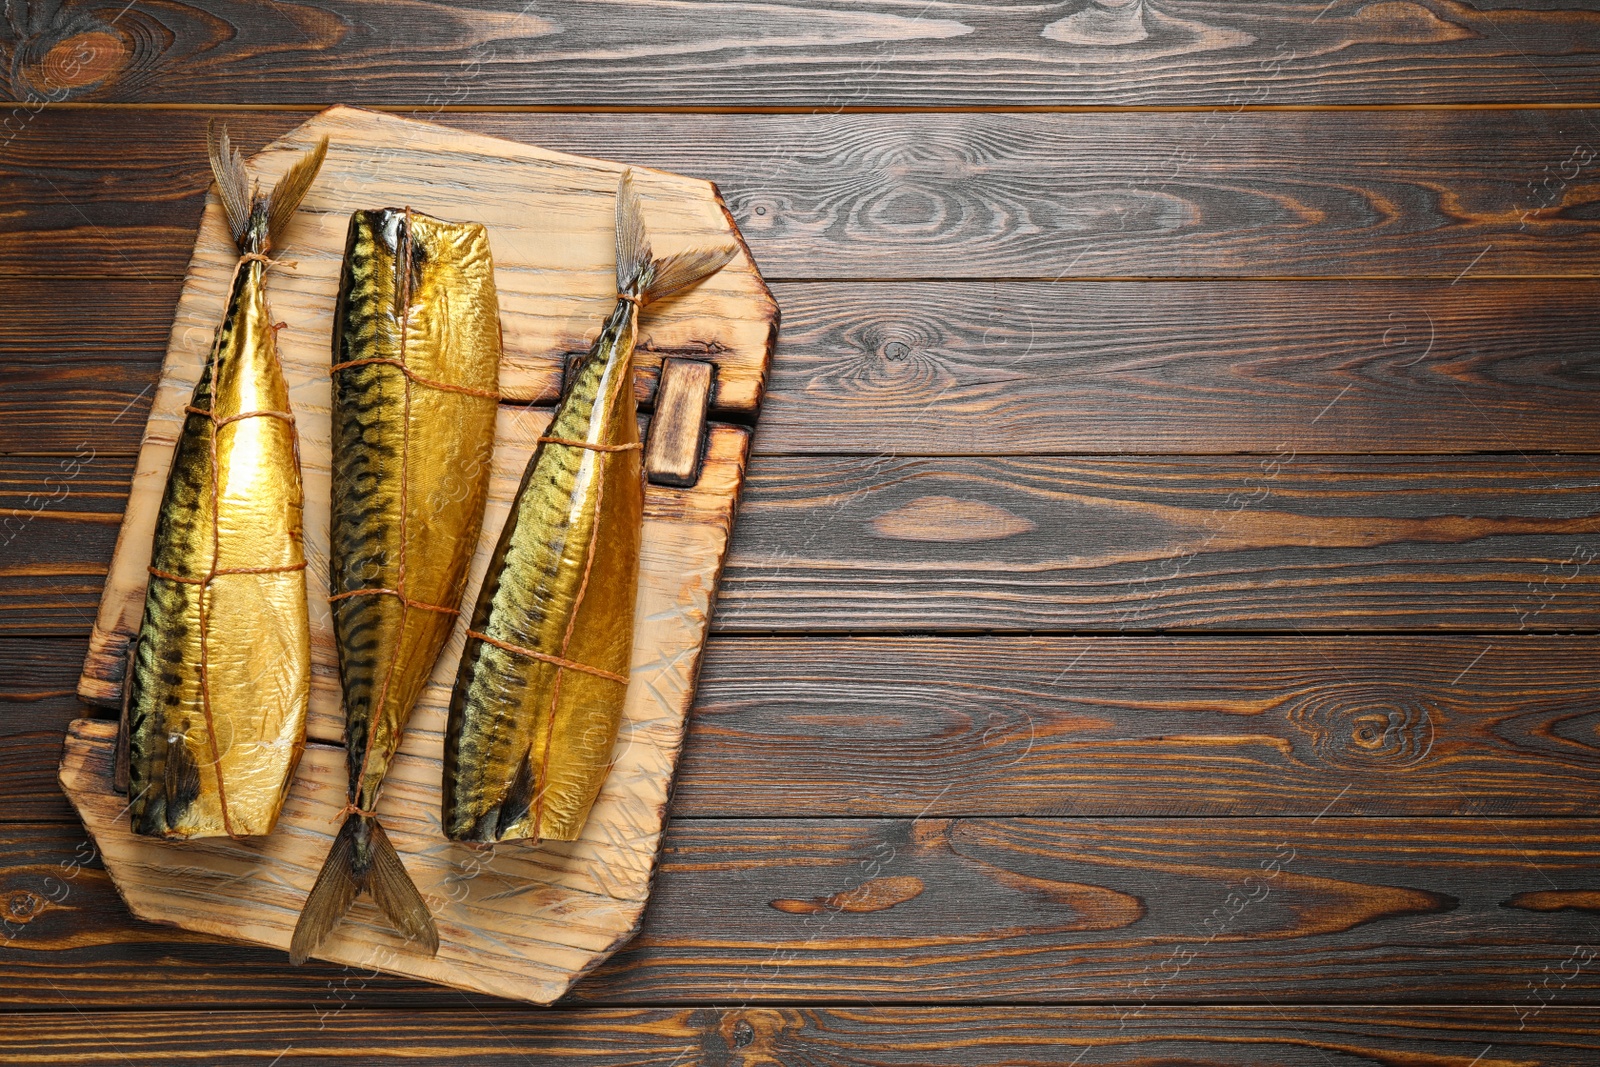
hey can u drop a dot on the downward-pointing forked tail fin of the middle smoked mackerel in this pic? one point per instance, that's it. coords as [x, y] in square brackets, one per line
[362, 858]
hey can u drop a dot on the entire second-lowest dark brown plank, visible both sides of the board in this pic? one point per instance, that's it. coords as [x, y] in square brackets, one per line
[940, 911]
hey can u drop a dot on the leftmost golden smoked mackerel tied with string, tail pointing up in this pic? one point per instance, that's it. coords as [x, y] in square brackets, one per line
[220, 674]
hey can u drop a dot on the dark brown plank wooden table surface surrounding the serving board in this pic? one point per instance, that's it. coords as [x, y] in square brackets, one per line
[1162, 623]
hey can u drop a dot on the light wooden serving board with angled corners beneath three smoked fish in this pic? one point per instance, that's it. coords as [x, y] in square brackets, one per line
[516, 921]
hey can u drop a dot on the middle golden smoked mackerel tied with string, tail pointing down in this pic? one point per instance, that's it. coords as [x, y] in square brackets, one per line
[415, 396]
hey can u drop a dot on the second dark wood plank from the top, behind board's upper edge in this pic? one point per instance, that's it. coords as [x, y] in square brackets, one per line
[956, 196]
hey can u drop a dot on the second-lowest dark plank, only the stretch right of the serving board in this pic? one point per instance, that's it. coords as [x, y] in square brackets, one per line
[1164, 911]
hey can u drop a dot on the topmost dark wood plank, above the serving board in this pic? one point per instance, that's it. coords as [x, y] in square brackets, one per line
[823, 54]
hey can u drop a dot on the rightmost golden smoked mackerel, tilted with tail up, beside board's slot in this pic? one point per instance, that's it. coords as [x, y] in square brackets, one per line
[542, 687]
